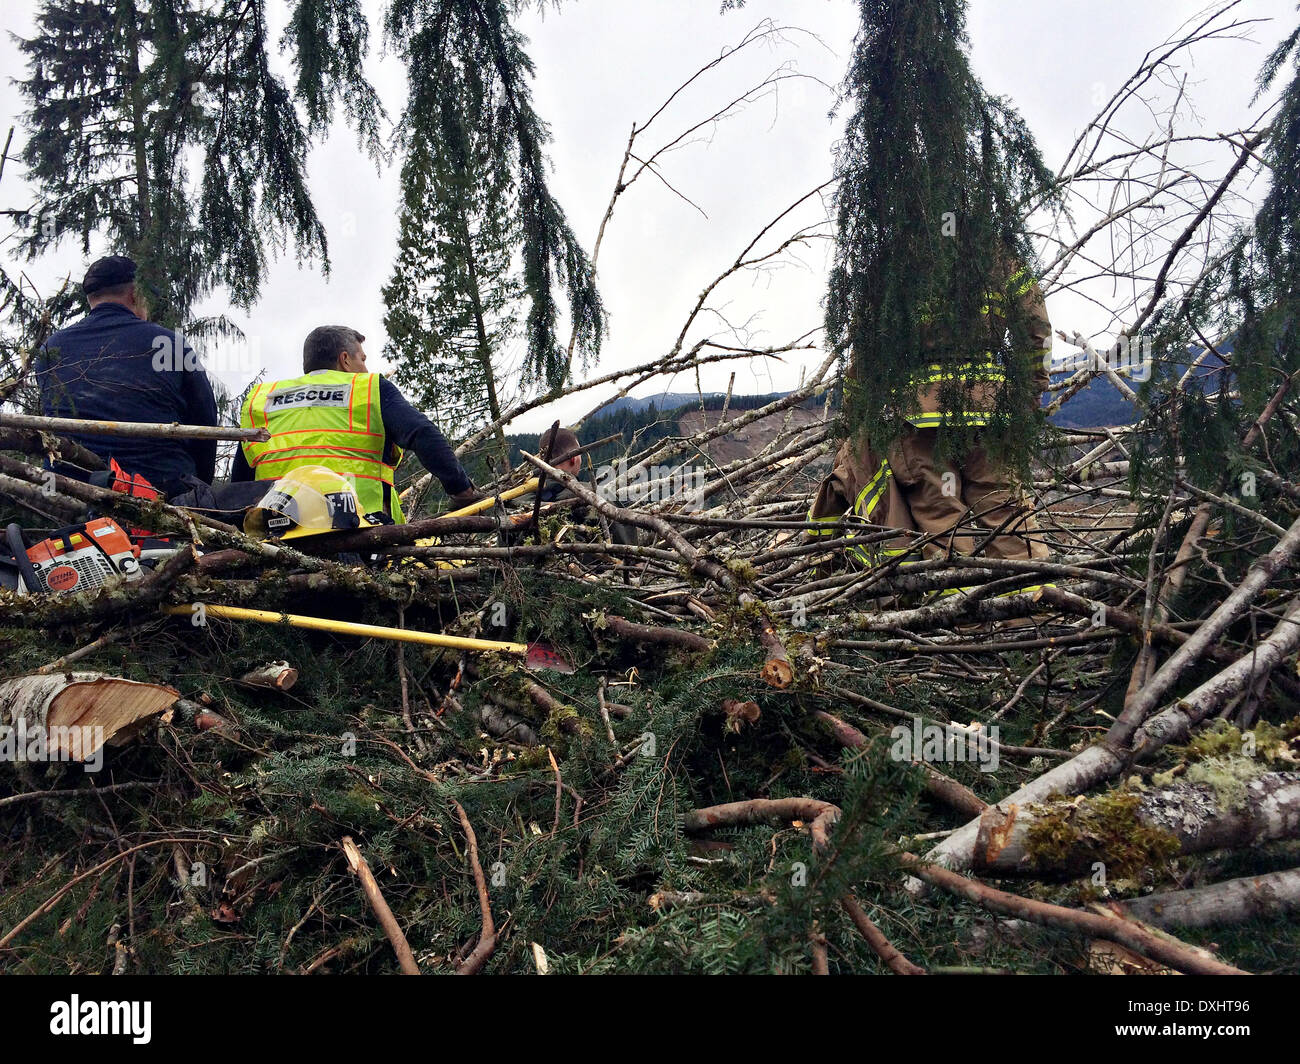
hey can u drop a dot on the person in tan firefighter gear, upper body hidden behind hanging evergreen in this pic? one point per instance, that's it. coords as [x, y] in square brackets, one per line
[909, 488]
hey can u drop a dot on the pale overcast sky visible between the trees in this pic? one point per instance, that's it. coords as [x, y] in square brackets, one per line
[604, 64]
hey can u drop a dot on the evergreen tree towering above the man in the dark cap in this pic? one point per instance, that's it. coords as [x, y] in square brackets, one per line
[161, 127]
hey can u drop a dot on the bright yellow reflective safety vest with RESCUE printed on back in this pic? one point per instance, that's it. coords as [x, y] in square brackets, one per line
[327, 418]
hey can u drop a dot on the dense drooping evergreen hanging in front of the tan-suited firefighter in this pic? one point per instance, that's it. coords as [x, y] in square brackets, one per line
[934, 175]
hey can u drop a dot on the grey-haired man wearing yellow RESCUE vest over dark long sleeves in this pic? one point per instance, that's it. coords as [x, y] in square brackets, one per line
[349, 421]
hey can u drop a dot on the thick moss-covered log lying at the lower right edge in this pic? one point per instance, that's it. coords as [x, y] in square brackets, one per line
[1068, 838]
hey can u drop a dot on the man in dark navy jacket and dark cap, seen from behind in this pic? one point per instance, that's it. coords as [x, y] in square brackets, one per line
[116, 366]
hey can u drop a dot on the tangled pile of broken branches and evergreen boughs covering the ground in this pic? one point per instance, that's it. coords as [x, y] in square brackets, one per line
[1110, 736]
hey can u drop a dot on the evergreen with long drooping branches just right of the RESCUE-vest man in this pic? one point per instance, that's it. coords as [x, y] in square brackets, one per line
[484, 248]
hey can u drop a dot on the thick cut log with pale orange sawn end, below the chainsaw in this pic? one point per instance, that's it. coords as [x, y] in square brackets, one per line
[77, 713]
